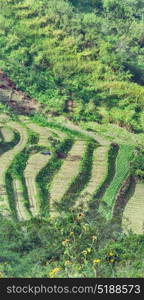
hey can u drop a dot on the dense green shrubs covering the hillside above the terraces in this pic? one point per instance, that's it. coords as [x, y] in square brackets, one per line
[86, 52]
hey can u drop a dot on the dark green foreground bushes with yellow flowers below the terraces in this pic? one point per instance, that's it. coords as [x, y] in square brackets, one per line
[72, 246]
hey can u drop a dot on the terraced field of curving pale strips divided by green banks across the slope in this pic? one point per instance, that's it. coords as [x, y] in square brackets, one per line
[31, 164]
